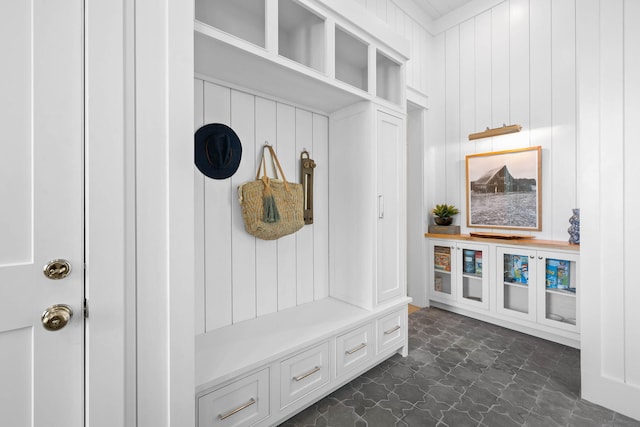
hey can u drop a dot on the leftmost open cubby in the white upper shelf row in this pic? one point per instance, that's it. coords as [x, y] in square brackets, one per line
[242, 18]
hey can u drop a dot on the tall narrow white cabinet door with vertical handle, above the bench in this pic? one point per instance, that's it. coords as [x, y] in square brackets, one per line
[390, 184]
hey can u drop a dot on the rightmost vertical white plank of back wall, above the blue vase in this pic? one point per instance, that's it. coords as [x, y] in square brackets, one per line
[563, 119]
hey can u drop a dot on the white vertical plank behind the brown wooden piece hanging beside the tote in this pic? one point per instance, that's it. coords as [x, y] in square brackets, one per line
[304, 237]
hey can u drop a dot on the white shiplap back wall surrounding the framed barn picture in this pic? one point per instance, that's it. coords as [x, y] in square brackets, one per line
[514, 63]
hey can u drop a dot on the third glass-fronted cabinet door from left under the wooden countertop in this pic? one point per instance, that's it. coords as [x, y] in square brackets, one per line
[516, 282]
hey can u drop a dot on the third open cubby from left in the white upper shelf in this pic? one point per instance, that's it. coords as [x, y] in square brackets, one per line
[351, 60]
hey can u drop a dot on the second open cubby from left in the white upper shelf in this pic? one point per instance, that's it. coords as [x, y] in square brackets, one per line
[300, 34]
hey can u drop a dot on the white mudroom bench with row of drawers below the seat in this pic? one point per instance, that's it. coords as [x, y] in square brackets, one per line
[263, 371]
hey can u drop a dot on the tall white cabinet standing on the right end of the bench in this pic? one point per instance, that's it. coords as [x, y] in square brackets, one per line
[367, 199]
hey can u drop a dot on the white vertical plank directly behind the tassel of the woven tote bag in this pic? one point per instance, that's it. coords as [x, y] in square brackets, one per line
[266, 250]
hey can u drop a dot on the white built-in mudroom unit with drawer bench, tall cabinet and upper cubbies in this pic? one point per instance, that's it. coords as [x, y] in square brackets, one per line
[325, 57]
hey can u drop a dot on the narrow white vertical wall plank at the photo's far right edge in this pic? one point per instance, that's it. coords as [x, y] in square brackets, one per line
[631, 178]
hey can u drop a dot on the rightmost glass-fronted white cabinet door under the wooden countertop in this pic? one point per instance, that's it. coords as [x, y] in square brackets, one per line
[558, 290]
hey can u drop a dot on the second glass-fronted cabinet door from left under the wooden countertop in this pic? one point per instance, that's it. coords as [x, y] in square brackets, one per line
[471, 275]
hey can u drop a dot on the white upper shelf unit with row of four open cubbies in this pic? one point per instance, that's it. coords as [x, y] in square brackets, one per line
[318, 53]
